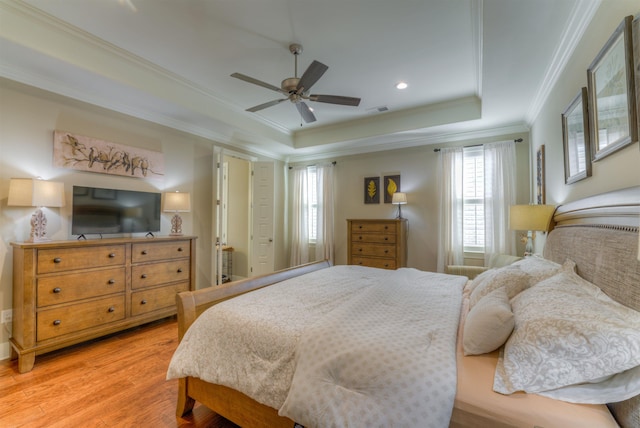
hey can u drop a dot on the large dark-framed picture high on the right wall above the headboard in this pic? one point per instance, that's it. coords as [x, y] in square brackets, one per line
[612, 104]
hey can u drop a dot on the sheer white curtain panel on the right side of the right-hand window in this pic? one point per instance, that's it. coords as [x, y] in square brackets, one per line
[500, 194]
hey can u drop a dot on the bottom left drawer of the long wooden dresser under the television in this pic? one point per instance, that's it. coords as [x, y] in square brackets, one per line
[73, 318]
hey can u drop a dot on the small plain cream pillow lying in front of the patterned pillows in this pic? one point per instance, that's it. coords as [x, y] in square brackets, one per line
[489, 324]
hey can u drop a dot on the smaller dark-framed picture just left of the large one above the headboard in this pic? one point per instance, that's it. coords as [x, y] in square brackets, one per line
[575, 138]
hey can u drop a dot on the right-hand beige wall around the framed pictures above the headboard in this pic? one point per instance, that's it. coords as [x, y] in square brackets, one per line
[617, 171]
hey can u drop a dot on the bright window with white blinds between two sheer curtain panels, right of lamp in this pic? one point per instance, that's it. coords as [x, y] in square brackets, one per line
[473, 199]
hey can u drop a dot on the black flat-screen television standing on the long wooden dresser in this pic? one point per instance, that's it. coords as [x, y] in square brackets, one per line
[107, 211]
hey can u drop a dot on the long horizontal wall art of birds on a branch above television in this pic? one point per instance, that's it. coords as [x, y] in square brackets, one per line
[91, 154]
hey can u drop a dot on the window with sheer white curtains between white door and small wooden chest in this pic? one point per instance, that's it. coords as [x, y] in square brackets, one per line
[305, 247]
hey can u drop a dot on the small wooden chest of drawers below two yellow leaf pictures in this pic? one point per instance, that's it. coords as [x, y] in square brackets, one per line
[377, 243]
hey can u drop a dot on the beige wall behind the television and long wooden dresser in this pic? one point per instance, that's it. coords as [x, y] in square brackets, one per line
[28, 118]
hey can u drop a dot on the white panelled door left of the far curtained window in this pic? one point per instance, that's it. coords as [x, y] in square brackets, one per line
[262, 260]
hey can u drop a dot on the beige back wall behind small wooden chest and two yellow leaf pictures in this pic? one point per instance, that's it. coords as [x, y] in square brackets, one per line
[417, 168]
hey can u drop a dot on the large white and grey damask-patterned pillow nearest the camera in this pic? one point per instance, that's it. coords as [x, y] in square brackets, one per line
[567, 332]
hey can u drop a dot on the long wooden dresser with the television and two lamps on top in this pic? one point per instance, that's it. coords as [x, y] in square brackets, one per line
[66, 292]
